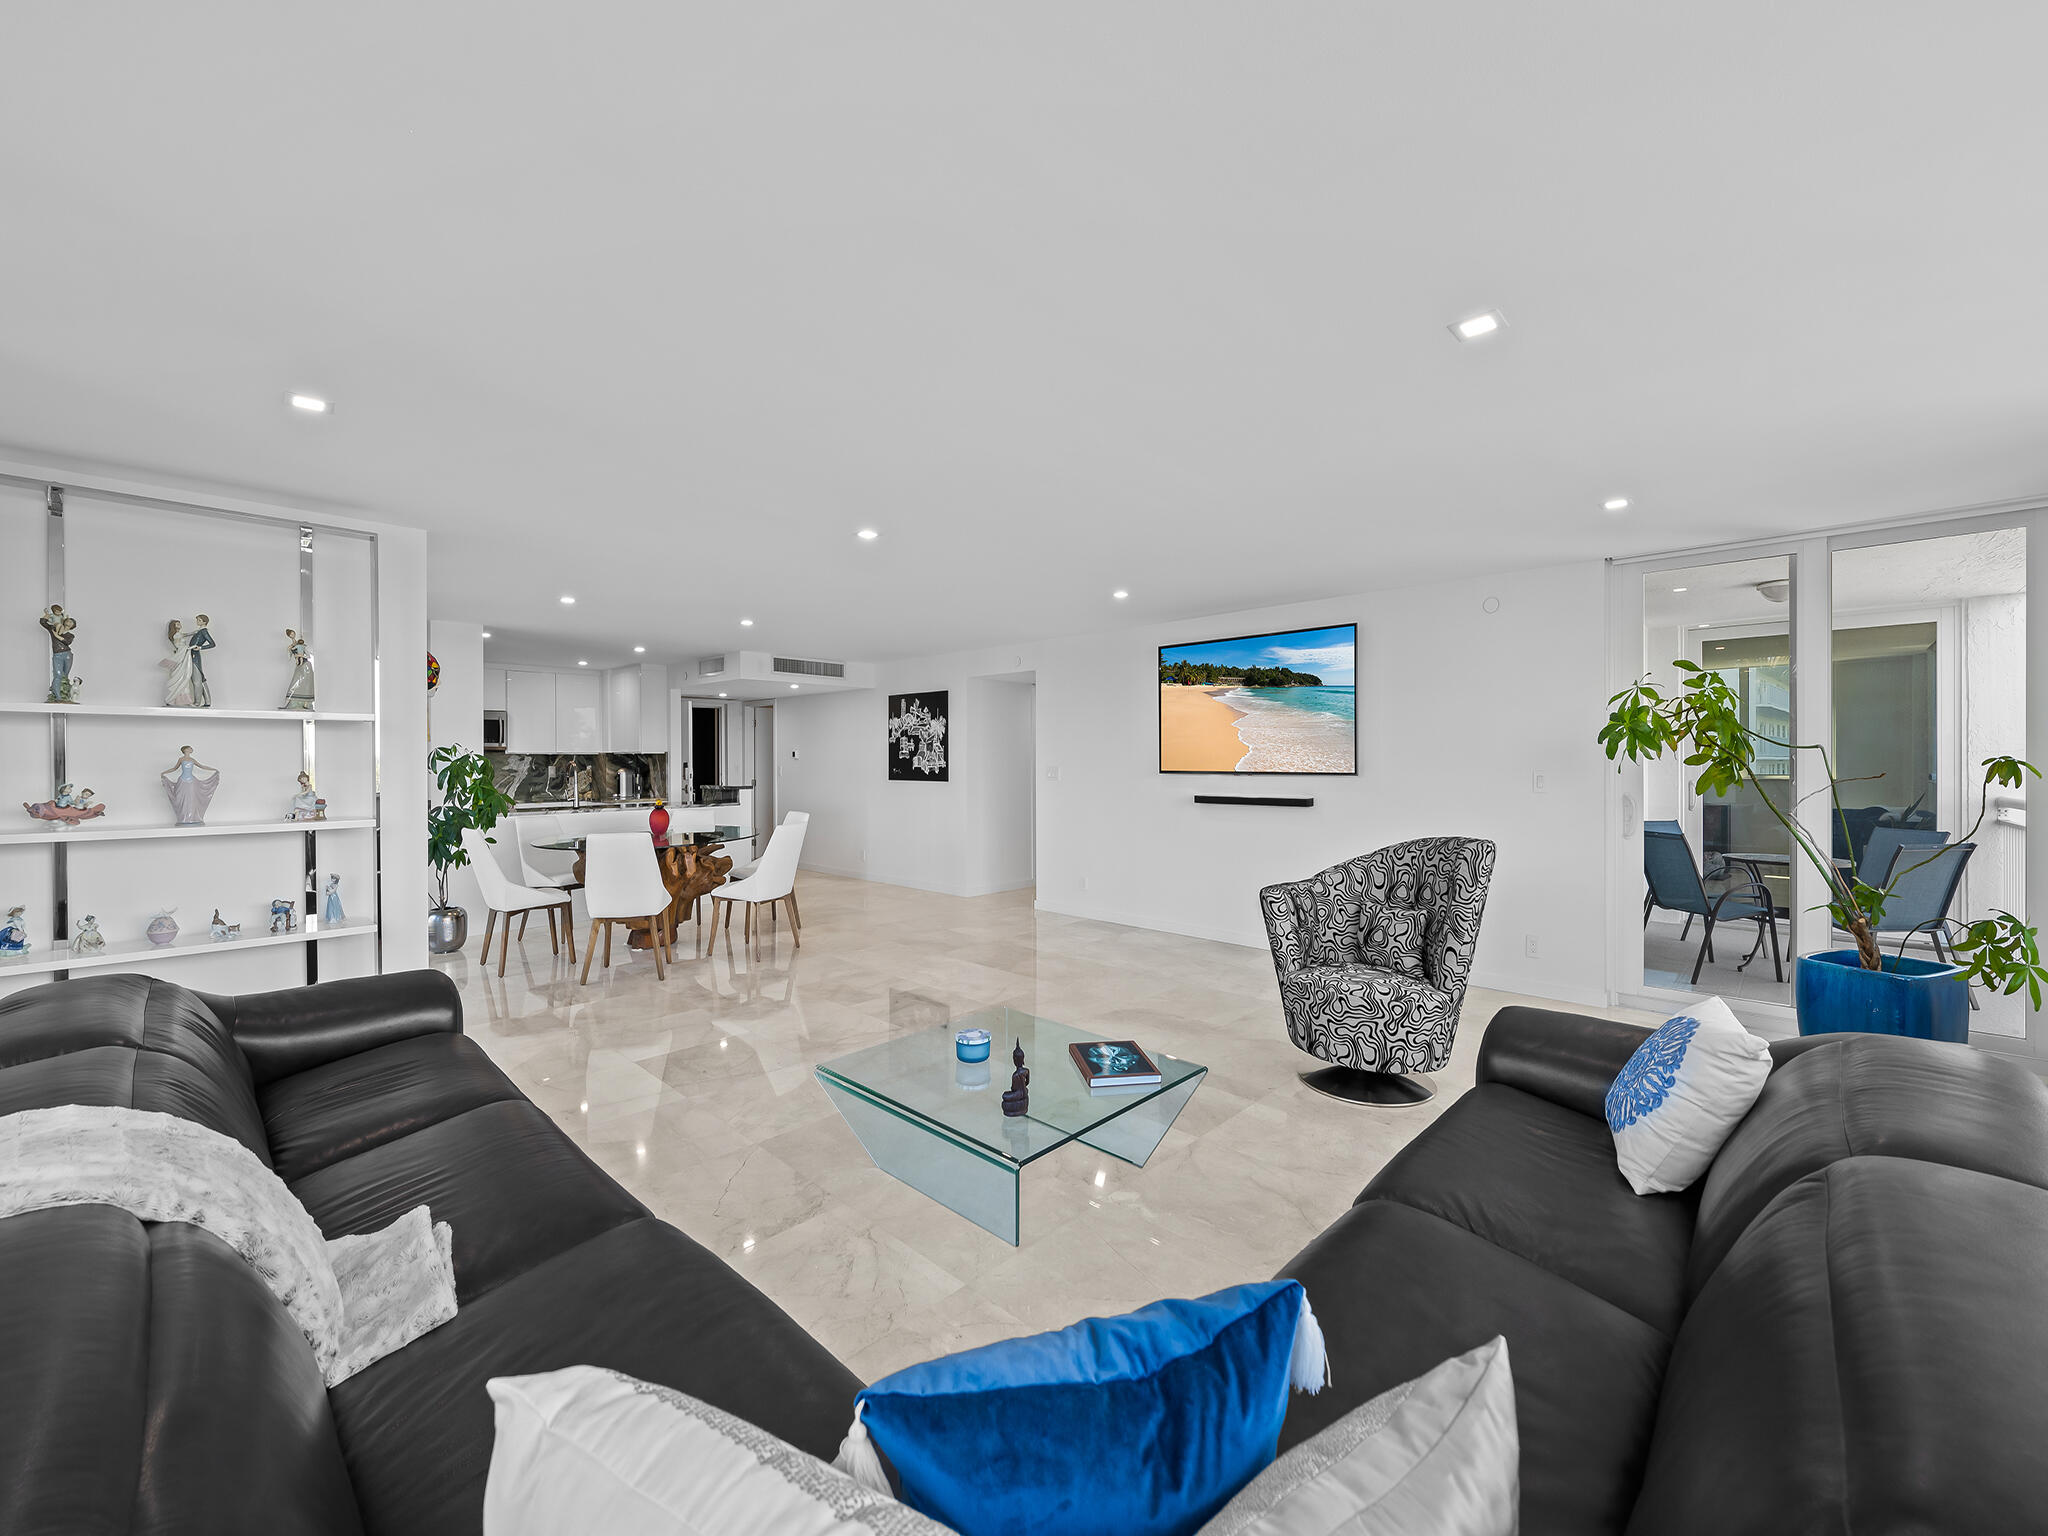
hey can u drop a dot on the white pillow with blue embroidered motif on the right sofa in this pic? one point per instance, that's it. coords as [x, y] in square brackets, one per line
[1680, 1097]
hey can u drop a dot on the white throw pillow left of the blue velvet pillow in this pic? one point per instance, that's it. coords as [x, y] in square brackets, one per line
[595, 1451]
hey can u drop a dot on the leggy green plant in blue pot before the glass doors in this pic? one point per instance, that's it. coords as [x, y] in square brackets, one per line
[1844, 990]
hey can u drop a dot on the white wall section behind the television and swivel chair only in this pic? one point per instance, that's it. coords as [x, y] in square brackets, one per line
[1459, 710]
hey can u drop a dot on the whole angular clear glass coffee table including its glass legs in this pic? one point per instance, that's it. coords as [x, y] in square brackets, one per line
[939, 1123]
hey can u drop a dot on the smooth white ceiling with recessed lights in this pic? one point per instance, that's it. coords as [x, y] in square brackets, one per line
[658, 304]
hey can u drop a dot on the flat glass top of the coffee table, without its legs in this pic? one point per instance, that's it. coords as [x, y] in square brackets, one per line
[921, 1078]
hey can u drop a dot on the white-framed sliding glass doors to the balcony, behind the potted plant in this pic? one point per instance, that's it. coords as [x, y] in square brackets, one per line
[1906, 654]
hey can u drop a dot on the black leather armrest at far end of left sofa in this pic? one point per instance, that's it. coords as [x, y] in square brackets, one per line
[308, 1027]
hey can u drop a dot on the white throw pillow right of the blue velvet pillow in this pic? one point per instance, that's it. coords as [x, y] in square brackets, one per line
[1435, 1457]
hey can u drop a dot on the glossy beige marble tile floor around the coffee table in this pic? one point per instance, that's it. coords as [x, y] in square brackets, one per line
[697, 1095]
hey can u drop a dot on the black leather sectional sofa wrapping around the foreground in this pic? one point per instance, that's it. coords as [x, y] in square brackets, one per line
[1838, 1330]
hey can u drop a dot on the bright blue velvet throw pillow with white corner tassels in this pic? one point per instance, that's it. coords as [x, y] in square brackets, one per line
[1117, 1426]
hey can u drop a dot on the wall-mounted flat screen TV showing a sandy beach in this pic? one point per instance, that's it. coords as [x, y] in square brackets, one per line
[1261, 706]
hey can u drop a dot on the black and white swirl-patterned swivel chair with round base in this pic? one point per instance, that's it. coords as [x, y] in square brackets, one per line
[1371, 1025]
